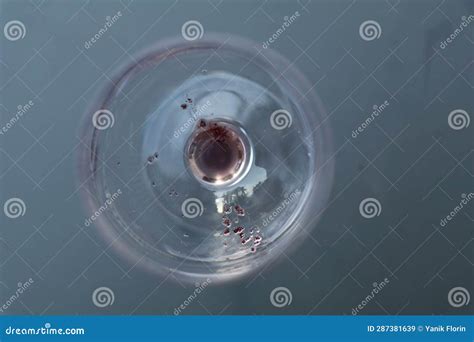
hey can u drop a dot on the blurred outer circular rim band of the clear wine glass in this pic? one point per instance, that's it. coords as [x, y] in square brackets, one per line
[313, 114]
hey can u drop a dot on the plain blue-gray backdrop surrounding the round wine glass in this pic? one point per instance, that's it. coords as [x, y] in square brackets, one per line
[410, 159]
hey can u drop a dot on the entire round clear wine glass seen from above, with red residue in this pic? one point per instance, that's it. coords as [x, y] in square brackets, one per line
[215, 213]
